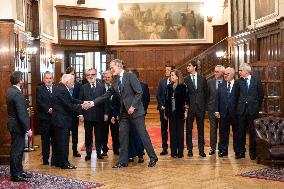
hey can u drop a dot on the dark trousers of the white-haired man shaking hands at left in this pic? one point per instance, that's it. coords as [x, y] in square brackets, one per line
[62, 138]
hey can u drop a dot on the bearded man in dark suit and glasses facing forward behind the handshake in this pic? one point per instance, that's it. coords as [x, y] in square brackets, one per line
[94, 117]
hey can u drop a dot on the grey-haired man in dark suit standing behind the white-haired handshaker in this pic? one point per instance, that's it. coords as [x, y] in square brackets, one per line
[44, 110]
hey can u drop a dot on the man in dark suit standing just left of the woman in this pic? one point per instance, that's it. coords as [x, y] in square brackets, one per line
[161, 96]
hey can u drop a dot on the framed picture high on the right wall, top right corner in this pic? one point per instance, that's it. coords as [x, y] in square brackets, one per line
[265, 10]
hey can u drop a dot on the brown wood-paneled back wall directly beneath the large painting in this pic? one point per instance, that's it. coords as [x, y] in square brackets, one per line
[150, 60]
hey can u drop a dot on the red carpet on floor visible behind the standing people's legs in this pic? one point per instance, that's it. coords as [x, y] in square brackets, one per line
[155, 135]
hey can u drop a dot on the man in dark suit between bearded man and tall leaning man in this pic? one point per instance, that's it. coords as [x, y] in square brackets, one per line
[112, 122]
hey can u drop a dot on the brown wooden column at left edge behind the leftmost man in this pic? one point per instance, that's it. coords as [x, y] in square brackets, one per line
[7, 54]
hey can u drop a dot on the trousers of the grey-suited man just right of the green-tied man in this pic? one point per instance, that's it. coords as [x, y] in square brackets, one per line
[214, 122]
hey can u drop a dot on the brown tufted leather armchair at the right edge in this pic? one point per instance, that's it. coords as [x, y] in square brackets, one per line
[269, 138]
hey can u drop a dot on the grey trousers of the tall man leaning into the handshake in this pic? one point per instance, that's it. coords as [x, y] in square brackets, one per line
[126, 121]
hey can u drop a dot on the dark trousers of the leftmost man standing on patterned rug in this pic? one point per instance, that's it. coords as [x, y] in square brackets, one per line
[17, 150]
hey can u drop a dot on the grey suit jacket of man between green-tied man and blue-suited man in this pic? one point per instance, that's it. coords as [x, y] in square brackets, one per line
[211, 94]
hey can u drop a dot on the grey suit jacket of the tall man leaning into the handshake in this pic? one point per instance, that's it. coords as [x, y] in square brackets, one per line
[130, 94]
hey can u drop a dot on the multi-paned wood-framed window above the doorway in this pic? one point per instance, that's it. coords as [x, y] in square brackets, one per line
[79, 29]
